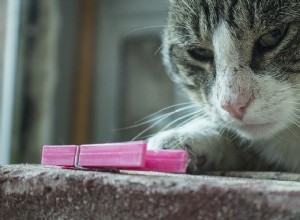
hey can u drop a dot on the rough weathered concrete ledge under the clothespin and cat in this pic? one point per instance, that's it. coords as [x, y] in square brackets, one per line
[43, 192]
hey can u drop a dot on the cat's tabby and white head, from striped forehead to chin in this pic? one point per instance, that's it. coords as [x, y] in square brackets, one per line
[240, 58]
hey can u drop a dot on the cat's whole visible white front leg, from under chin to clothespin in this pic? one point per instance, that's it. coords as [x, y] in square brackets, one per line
[208, 149]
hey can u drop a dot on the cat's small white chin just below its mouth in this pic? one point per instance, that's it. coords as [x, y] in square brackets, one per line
[258, 131]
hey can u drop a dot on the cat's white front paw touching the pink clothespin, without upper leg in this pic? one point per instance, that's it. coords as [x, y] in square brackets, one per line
[203, 151]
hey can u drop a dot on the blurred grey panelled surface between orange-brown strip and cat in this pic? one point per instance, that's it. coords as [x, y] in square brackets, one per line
[130, 79]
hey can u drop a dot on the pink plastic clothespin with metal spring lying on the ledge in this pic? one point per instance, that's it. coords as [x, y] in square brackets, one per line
[127, 155]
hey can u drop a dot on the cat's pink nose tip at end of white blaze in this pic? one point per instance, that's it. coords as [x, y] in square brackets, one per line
[236, 110]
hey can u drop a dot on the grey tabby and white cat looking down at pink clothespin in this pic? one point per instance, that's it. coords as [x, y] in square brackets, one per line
[239, 62]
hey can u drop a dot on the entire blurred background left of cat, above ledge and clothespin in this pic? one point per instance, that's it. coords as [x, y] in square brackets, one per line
[79, 71]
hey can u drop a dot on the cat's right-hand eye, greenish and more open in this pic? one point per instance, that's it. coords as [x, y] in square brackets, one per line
[272, 38]
